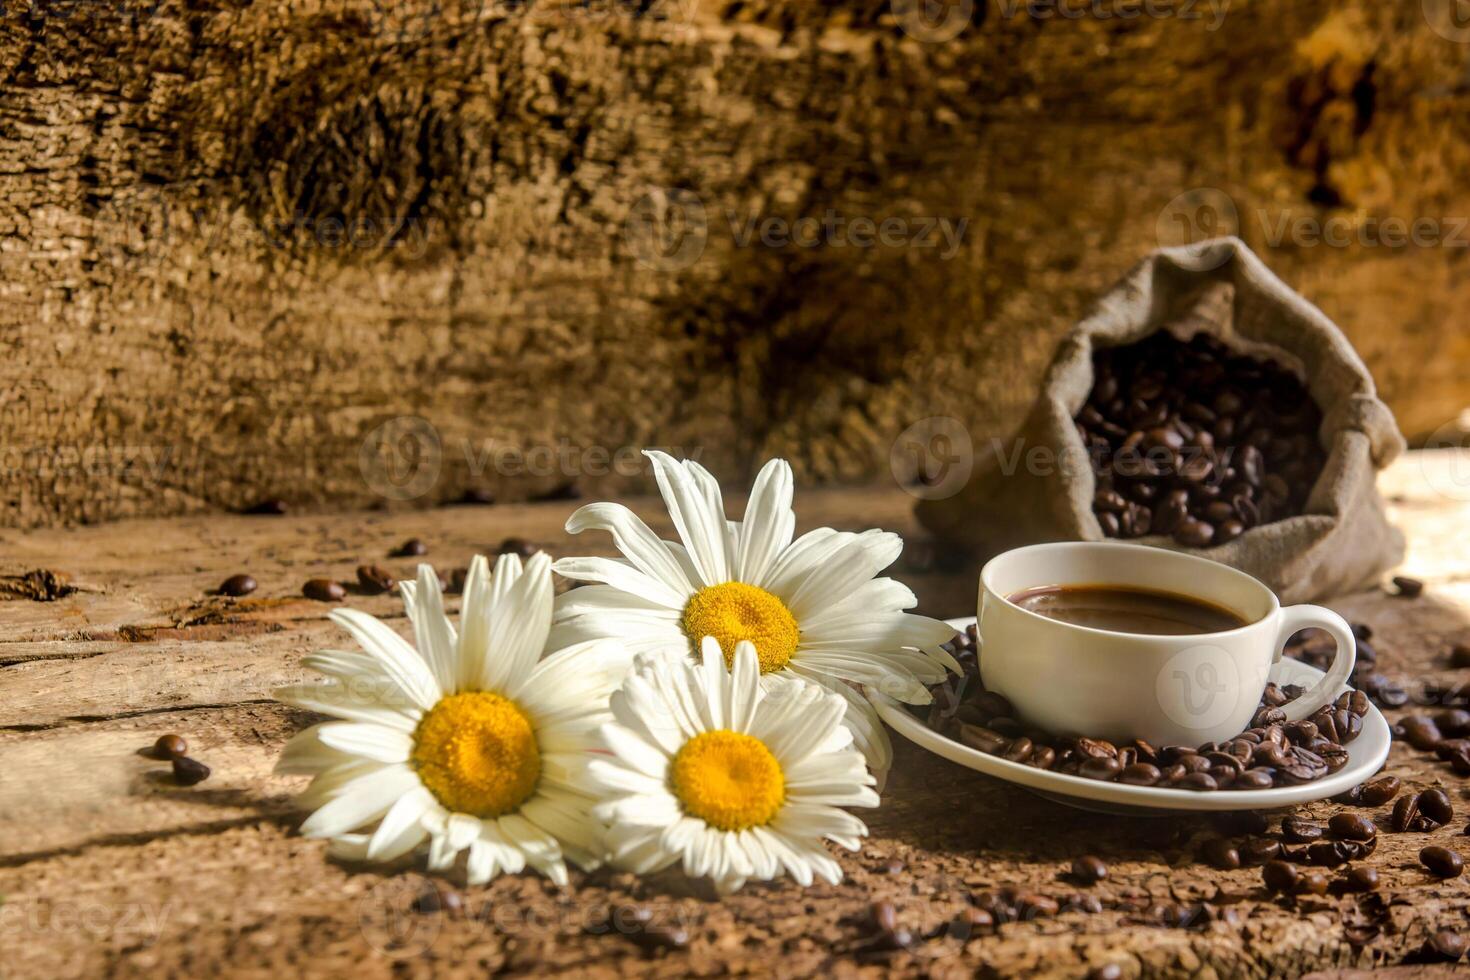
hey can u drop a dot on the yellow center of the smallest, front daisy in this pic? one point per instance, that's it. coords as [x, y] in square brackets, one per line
[730, 781]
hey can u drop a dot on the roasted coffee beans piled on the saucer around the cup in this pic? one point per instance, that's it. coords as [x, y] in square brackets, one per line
[1271, 753]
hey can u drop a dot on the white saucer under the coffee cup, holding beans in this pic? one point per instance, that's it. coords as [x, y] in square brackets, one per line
[1366, 756]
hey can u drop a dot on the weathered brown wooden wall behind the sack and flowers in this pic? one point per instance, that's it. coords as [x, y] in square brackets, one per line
[239, 237]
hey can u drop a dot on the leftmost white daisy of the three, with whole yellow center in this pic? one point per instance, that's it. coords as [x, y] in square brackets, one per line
[474, 741]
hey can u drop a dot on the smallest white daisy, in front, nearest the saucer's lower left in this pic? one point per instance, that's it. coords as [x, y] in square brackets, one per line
[731, 775]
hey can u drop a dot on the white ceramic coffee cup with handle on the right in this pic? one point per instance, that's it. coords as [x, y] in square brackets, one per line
[1188, 690]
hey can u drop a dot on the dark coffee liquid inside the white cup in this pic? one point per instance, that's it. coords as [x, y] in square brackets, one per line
[1127, 609]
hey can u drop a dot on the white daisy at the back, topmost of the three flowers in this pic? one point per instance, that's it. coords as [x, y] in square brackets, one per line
[814, 608]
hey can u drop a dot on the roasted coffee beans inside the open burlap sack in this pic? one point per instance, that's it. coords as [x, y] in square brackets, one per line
[1193, 442]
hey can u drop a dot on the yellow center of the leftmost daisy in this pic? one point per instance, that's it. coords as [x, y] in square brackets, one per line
[478, 754]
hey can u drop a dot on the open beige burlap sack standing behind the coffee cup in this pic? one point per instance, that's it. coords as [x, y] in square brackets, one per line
[1344, 540]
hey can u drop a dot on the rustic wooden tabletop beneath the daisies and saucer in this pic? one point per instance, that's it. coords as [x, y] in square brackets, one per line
[110, 868]
